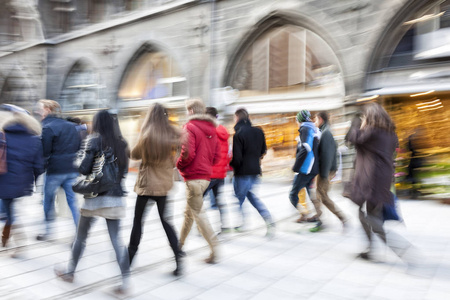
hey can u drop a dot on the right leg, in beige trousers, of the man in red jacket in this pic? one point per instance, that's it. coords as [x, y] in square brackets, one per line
[195, 202]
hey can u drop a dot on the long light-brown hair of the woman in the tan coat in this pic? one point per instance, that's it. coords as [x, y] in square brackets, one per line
[159, 140]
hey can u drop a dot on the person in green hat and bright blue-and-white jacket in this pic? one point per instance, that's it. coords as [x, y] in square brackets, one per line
[306, 164]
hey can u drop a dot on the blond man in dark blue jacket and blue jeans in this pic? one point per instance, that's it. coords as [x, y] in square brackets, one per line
[61, 142]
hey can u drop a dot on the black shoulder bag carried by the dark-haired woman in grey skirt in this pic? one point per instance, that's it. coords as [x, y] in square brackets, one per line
[103, 177]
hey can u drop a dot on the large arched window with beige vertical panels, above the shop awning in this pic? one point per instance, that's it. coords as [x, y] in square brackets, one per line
[289, 59]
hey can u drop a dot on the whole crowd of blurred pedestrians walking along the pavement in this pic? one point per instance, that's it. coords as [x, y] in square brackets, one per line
[200, 152]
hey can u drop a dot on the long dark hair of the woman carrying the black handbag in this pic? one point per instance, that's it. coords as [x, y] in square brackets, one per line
[107, 126]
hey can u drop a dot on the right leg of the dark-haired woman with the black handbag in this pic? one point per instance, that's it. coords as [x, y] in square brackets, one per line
[121, 251]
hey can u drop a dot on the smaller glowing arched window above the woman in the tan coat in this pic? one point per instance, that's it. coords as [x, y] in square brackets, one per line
[154, 75]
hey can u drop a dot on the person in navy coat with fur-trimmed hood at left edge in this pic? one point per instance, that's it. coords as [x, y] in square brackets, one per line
[24, 161]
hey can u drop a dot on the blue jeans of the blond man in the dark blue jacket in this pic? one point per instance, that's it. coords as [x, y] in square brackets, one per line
[52, 183]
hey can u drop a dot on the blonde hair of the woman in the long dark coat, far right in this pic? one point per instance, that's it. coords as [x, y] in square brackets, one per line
[375, 116]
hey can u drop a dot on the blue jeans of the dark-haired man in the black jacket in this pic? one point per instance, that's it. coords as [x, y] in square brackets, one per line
[243, 188]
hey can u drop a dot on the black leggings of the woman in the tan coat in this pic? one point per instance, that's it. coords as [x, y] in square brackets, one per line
[136, 232]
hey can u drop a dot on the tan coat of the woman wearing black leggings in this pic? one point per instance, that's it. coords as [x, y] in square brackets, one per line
[153, 179]
